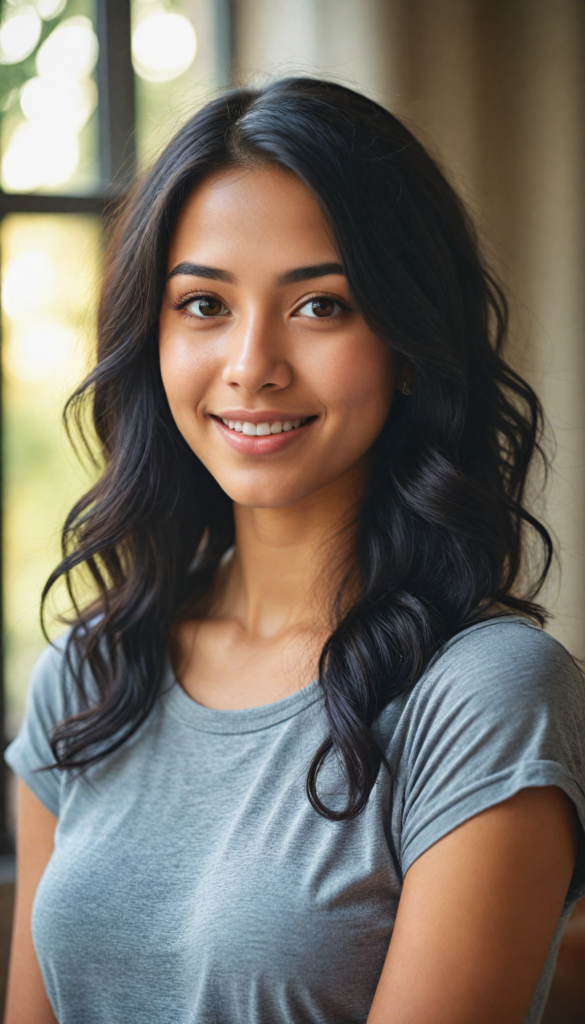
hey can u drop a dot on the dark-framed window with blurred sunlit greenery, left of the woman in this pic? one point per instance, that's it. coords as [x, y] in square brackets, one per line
[90, 91]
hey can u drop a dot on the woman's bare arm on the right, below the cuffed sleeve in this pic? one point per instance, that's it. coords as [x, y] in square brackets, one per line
[478, 914]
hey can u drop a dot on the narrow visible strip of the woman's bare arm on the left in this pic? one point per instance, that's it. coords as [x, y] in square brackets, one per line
[27, 1001]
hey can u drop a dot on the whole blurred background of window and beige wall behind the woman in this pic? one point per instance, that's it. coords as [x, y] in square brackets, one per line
[91, 91]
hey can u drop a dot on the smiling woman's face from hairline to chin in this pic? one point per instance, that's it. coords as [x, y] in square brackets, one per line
[273, 376]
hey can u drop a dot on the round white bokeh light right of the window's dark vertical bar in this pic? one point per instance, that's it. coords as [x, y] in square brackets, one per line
[164, 47]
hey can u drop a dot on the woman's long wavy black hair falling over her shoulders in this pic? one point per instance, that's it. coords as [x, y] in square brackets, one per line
[443, 534]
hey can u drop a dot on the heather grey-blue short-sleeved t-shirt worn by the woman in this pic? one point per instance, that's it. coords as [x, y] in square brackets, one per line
[192, 882]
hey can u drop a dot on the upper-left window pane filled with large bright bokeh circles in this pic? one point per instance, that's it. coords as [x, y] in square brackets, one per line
[49, 98]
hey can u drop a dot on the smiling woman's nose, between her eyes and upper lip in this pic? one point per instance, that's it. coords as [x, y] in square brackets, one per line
[255, 358]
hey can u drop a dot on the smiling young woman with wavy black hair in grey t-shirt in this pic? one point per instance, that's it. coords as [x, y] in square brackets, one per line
[309, 756]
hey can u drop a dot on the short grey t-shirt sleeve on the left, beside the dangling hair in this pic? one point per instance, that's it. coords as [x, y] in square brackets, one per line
[47, 707]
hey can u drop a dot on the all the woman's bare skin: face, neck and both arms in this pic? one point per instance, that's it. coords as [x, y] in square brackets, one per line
[479, 909]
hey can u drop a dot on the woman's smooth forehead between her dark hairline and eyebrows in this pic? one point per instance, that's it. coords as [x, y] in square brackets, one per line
[252, 212]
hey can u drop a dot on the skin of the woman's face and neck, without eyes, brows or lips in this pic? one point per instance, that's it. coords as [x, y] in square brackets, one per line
[271, 357]
